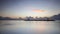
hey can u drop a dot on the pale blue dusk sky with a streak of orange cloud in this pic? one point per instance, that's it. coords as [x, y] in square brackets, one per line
[23, 8]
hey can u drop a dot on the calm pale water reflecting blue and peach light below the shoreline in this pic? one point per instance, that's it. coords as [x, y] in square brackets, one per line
[29, 27]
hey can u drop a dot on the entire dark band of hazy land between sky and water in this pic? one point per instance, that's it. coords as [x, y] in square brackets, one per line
[55, 17]
